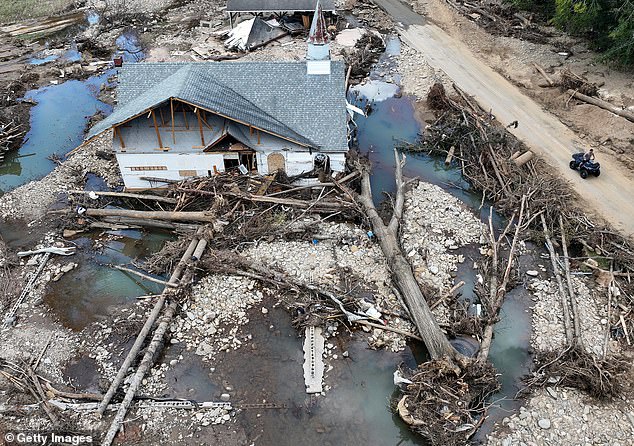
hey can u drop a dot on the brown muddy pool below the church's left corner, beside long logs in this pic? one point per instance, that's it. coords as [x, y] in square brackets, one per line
[89, 292]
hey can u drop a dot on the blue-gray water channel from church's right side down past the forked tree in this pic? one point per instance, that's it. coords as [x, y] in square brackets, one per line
[393, 122]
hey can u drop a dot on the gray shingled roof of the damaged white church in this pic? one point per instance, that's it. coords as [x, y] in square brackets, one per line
[278, 97]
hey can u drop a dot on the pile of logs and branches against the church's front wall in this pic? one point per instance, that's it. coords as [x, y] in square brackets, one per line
[238, 207]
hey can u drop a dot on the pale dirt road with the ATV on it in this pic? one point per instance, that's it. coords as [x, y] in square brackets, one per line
[611, 195]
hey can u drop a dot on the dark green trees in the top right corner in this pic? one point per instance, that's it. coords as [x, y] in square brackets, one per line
[607, 24]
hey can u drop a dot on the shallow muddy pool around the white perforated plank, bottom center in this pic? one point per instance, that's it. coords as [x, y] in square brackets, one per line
[270, 368]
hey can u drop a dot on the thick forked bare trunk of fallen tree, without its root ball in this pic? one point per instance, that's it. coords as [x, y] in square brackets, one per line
[434, 338]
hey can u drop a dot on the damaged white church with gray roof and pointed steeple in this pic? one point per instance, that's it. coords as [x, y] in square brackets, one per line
[180, 120]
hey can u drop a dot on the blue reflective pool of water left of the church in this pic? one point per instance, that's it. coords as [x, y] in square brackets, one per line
[57, 126]
